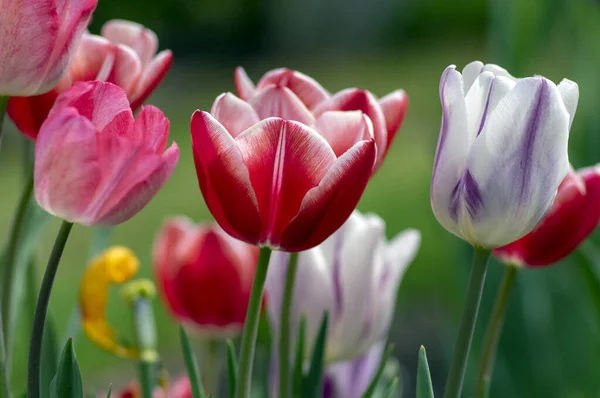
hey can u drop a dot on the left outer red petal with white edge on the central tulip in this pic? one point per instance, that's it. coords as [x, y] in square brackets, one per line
[224, 179]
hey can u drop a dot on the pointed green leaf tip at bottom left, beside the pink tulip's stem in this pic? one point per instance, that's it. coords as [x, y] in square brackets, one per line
[67, 382]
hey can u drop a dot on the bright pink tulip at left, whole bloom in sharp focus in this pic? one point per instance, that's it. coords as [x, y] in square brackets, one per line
[95, 164]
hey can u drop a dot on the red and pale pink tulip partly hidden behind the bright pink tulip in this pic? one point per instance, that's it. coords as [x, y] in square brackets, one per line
[125, 55]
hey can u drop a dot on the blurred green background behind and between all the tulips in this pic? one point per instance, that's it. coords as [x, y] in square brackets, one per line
[550, 346]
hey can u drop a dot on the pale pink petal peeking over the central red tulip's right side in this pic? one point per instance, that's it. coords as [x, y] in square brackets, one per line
[344, 129]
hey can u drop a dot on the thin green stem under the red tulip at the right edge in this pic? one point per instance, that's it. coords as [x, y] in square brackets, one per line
[493, 332]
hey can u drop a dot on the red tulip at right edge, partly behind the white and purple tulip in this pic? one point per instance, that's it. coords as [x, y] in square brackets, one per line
[572, 218]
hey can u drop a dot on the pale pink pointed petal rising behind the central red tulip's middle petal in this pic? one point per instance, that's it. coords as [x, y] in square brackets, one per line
[276, 101]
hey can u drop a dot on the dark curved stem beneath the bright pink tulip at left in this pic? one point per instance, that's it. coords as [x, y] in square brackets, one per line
[37, 333]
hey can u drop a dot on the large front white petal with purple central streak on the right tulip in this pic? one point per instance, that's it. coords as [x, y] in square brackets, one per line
[530, 124]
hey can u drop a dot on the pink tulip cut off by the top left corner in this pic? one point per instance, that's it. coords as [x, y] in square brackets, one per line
[37, 41]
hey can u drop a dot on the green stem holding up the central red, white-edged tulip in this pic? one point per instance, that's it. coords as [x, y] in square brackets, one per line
[242, 388]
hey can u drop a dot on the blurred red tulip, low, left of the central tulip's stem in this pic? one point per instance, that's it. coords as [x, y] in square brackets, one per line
[204, 275]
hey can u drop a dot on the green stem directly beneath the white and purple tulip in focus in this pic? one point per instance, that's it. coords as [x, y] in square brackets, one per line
[458, 366]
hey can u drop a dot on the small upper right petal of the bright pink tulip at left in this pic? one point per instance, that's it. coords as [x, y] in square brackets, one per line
[151, 129]
